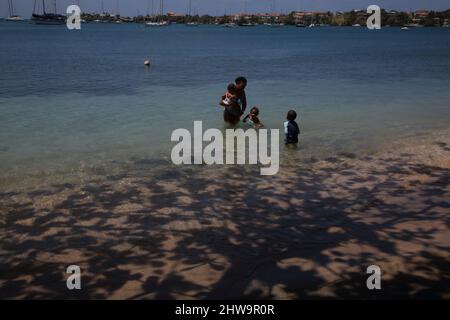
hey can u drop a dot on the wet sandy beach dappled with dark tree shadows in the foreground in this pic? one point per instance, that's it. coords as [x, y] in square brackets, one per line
[309, 232]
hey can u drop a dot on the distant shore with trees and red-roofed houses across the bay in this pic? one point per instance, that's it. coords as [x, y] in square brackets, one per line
[422, 18]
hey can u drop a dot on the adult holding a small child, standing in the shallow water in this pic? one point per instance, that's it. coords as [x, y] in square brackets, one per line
[234, 101]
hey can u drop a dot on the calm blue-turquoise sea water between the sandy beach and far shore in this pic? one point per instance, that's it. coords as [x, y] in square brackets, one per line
[75, 99]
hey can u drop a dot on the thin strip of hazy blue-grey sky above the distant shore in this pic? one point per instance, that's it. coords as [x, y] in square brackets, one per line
[219, 7]
